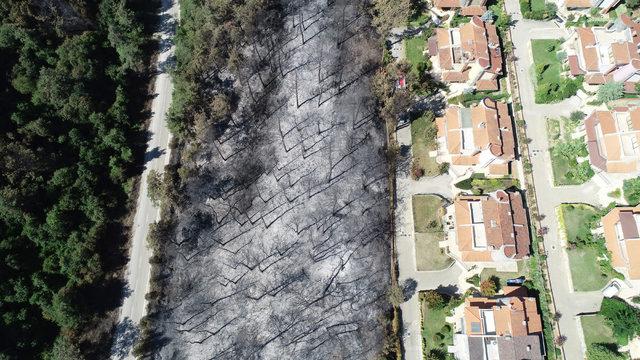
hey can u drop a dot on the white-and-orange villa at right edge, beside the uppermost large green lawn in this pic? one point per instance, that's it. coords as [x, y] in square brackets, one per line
[606, 54]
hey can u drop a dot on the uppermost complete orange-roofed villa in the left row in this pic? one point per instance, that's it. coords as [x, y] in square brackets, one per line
[469, 54]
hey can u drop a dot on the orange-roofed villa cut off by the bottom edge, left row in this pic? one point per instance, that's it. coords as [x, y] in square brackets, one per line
[507, 327]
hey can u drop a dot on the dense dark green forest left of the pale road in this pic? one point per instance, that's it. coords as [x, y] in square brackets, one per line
[71, 146]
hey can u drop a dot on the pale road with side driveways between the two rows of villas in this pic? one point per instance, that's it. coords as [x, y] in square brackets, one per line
[568, 302]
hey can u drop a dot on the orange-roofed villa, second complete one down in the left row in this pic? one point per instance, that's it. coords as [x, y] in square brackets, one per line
[480, 138]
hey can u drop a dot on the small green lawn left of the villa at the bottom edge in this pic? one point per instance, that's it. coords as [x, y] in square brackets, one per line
[437, 334]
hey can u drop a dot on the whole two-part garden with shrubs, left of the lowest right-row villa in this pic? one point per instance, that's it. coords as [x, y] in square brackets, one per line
[590, 266]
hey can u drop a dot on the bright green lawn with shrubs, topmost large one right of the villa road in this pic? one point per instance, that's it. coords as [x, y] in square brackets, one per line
[550, 85]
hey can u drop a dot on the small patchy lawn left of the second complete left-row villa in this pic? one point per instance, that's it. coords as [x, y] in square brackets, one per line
[423, 140]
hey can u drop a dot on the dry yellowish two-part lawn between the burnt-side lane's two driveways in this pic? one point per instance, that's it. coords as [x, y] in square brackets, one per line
[428, 211]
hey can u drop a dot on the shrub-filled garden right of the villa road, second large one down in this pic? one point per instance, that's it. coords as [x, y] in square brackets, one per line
[565, 151]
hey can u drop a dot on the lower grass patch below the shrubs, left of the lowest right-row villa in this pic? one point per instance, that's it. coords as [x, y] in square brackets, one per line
[586, 274]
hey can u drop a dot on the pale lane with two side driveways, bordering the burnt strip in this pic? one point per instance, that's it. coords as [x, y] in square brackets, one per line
[406, 188]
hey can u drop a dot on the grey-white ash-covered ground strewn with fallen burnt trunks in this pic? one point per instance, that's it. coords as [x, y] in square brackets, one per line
[282, 250]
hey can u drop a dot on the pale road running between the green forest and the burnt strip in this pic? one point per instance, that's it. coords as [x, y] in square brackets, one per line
[157, 156]
